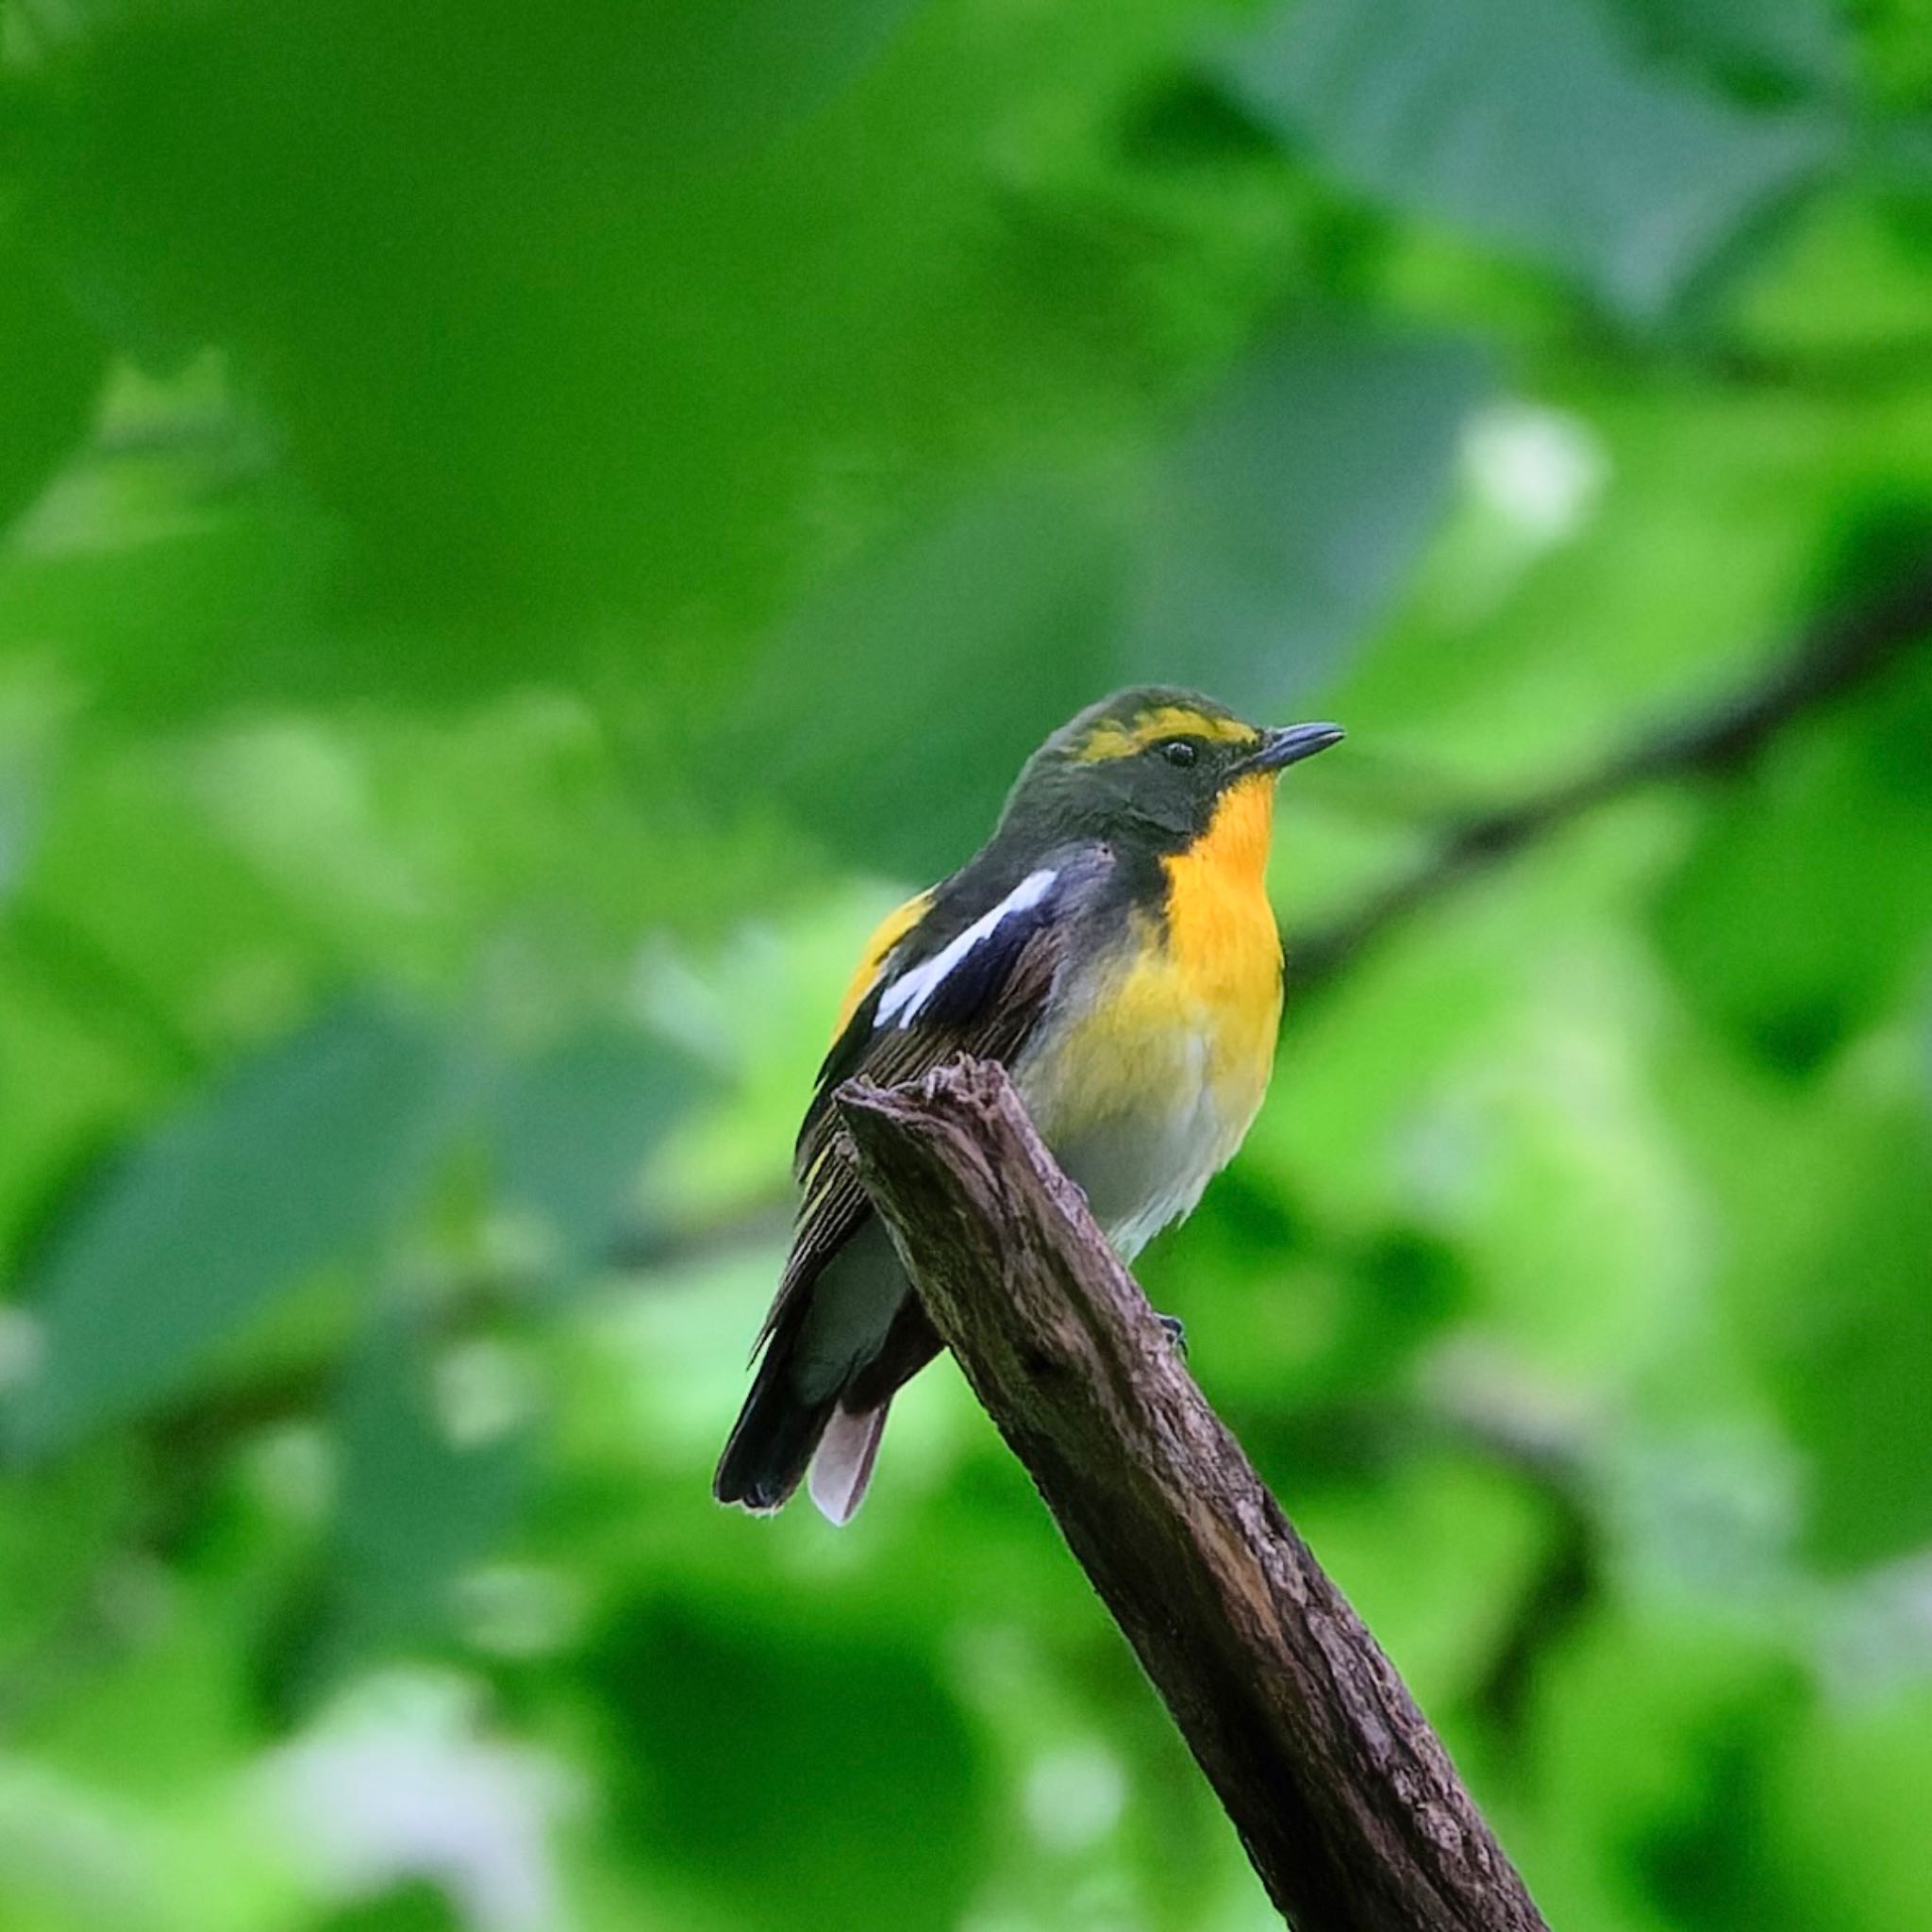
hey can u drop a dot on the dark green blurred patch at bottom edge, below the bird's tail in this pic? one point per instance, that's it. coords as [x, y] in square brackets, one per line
[812, 1780]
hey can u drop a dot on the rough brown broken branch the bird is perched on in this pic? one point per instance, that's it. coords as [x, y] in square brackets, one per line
[1340, 1790]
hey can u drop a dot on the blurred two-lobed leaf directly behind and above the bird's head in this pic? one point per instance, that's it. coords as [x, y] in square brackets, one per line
[1259, 542]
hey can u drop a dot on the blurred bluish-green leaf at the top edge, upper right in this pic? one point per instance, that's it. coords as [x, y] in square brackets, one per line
[1529, 125]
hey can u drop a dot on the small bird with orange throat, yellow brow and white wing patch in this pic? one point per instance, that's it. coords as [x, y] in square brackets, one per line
[1114, 948]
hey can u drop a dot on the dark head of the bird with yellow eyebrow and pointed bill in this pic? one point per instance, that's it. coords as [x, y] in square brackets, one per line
[1154, 766]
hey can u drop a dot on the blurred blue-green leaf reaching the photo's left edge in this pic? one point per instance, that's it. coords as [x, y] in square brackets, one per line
[304, 1156]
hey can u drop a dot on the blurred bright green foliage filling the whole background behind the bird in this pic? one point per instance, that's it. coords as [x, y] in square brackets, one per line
[526, 528]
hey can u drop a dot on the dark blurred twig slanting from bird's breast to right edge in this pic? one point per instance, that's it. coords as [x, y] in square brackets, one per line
[1844, 650]
